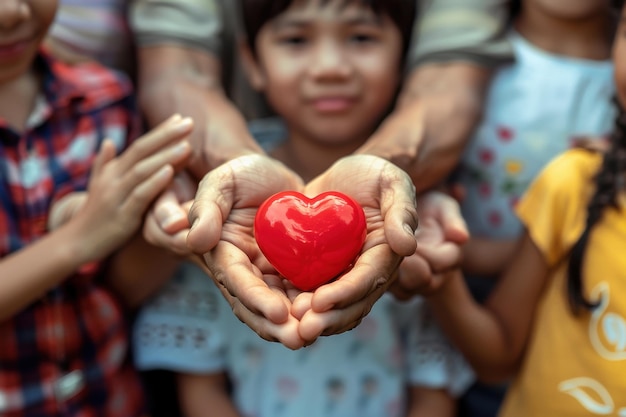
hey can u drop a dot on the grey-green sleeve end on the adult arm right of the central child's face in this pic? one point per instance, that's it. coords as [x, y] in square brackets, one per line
[468, 30]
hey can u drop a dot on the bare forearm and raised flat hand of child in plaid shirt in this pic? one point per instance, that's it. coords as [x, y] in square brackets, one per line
[120, 190]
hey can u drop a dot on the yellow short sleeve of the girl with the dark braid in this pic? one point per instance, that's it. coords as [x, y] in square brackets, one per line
[554, 208]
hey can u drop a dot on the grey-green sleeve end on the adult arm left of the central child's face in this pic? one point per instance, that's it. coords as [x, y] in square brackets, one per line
[191, 23]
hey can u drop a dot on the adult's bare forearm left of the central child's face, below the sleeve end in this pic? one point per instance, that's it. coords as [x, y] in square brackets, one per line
[175, 79]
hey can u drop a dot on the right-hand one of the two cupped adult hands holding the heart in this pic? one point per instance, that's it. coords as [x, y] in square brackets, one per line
[387, 196]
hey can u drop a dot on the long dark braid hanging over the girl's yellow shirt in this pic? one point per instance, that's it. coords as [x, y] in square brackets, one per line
[609, 182]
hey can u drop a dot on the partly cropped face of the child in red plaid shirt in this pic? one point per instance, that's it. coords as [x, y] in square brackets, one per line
[23, 25]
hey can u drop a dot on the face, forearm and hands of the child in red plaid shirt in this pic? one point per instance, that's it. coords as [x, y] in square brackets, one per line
[120, 189]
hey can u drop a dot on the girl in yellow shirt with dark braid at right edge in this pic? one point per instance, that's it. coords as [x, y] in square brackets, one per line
[555, 322]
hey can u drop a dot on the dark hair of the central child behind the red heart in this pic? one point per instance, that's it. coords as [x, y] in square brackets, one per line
[257, 13]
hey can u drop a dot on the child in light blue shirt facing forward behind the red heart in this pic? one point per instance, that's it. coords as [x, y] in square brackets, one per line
[331, 70]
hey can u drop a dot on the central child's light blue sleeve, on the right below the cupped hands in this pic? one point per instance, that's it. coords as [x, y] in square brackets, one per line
[432, 359]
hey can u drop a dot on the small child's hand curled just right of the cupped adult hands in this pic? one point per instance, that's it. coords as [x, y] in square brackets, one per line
[440, 237]
